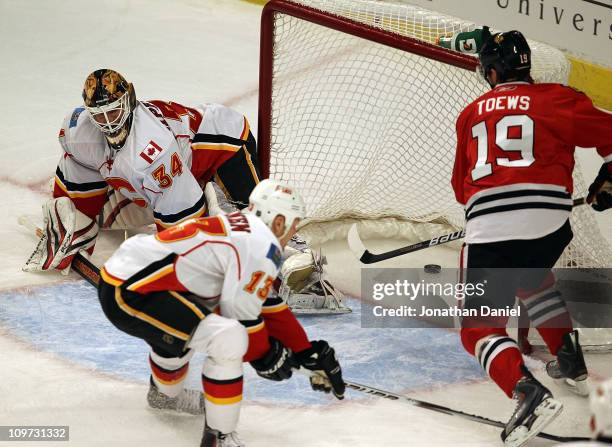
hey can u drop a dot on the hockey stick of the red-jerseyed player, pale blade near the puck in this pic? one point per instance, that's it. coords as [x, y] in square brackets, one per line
[367, 257]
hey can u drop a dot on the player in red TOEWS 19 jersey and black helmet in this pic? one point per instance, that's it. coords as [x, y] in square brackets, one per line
[513, 173]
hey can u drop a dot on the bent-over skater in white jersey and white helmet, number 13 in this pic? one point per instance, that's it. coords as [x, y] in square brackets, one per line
[204, 286]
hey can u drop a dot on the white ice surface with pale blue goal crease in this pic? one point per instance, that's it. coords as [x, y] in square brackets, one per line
[62, 363]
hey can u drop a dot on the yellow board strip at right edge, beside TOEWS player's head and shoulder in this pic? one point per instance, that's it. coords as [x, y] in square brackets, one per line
[594, 80]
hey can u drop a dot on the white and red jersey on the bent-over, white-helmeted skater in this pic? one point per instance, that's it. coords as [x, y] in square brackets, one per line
[229, 261]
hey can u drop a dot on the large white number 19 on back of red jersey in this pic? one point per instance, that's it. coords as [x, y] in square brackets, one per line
[512, 133]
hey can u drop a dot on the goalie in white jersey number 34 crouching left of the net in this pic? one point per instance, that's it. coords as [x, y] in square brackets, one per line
[127, 163]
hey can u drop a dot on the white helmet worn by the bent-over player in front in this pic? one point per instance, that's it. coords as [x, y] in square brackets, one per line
[271, 198]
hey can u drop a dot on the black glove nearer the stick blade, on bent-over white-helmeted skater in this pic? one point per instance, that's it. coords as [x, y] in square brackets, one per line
[321, 359]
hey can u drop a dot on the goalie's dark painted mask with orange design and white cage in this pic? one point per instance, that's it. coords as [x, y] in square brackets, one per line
[110, 101]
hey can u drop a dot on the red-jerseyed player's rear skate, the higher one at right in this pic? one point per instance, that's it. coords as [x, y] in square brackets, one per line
[569, 369]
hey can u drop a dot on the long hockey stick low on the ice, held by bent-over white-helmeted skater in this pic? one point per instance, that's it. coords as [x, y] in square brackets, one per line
[441, 408]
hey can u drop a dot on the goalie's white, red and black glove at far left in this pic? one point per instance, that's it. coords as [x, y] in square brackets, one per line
[66, 231]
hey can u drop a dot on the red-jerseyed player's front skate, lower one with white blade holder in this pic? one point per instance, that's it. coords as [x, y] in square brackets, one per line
[535, 409]
